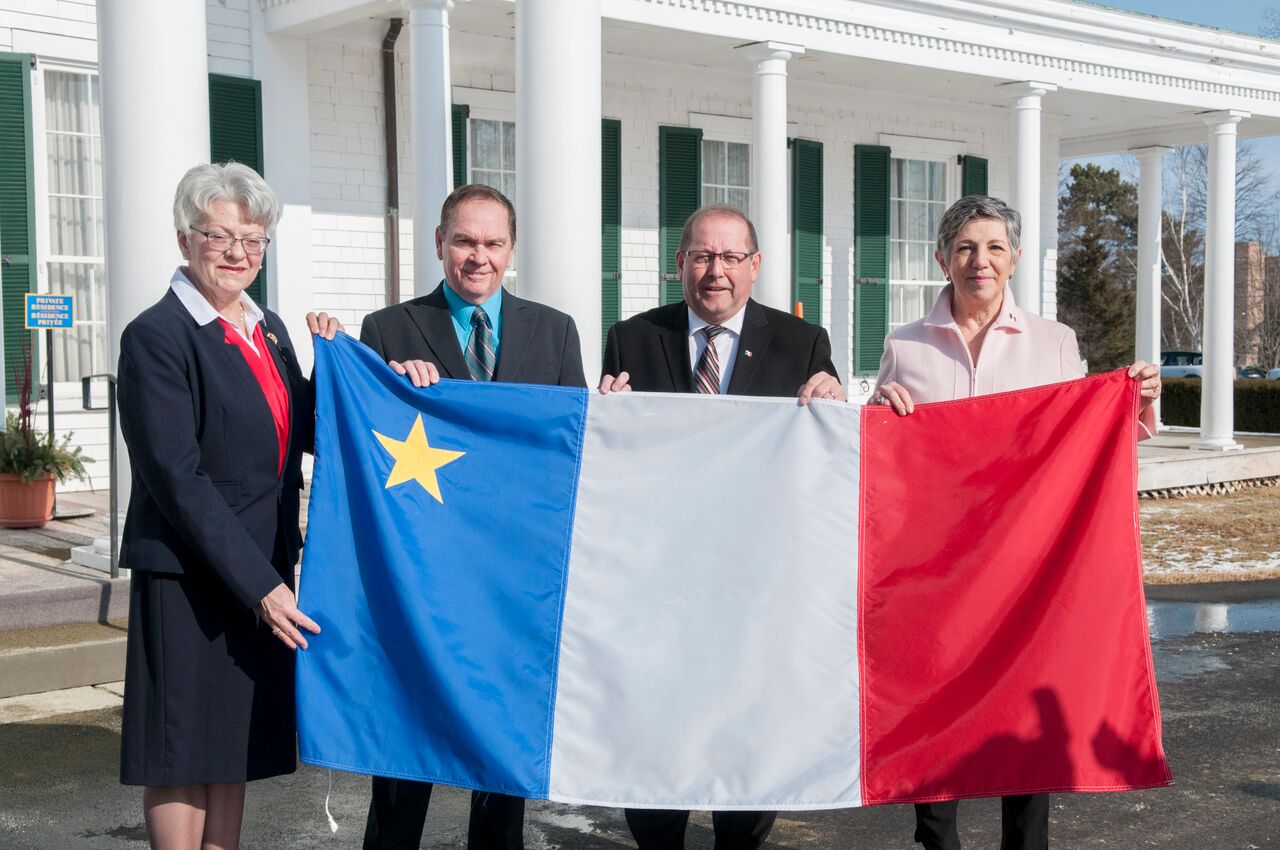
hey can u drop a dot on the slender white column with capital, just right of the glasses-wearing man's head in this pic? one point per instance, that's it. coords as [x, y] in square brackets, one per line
[770, 203]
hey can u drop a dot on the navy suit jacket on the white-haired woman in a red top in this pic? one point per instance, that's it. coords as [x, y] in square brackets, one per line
[202, 438]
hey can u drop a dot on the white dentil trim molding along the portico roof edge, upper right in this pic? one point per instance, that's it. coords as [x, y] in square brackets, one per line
[1090, 49]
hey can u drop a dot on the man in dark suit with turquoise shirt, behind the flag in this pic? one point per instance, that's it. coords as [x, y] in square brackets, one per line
[469, 327]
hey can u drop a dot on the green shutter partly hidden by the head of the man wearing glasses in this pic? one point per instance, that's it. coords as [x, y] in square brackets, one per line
[680, 194]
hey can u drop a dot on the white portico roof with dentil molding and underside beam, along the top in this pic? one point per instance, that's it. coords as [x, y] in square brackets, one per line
[1123, 80]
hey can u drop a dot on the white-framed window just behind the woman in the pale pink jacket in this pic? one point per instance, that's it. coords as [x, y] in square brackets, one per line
[920, 194]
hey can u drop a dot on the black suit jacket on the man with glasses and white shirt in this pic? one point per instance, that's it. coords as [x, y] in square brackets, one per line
[776, 355]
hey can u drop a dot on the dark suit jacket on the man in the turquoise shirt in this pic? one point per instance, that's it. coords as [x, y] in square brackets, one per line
[540, 345]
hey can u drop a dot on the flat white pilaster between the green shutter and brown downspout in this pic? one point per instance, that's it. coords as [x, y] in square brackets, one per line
[281, 63]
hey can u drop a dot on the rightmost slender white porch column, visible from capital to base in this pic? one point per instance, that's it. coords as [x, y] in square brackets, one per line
[1218, 385]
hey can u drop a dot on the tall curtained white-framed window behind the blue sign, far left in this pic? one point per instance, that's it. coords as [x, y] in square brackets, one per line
[74, 157]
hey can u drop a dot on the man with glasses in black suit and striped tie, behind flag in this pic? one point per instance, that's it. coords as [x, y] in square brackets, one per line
[717, 341]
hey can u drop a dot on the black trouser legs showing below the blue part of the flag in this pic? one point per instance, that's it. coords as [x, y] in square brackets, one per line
[399, 811]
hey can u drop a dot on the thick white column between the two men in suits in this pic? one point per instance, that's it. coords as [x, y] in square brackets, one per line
[559, 162]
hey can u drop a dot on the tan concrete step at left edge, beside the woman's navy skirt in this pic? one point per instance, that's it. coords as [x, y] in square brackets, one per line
[34, 661]
